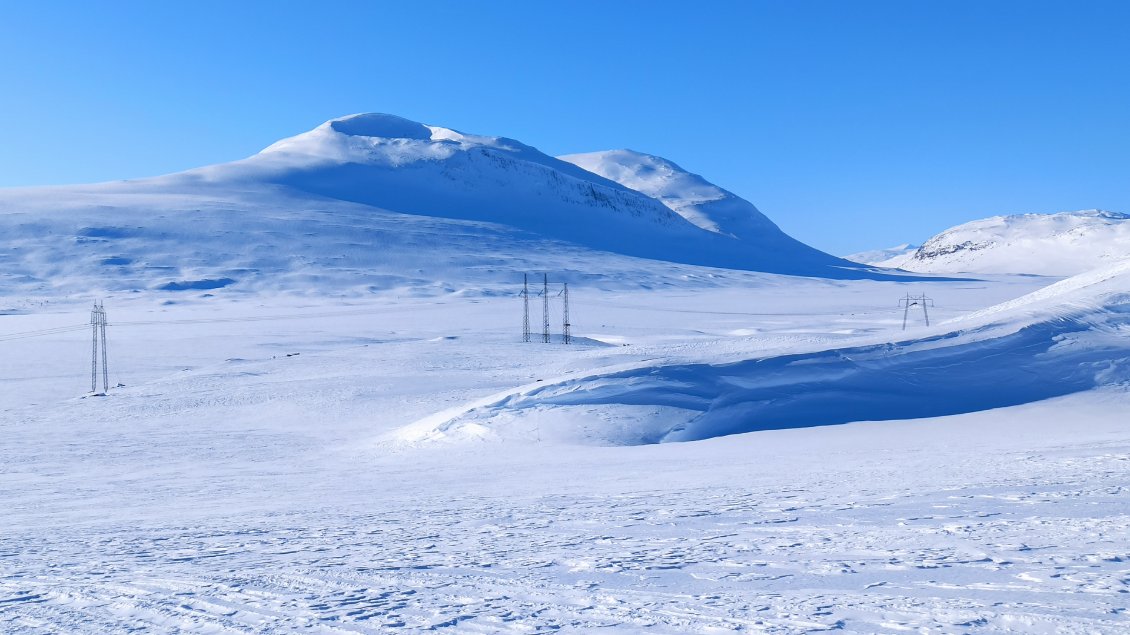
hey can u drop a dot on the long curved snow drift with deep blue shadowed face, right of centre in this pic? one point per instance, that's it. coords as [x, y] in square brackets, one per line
[1063, 340]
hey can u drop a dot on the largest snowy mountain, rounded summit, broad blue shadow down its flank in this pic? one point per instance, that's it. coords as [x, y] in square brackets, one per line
[376, 201]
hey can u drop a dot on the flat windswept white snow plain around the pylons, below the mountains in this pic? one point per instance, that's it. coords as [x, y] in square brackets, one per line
[253, 474]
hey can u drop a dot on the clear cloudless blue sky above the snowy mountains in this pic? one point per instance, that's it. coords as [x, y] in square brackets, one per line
[853, 125]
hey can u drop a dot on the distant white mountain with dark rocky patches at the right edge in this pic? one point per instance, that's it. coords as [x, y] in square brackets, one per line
[1050, 245]
